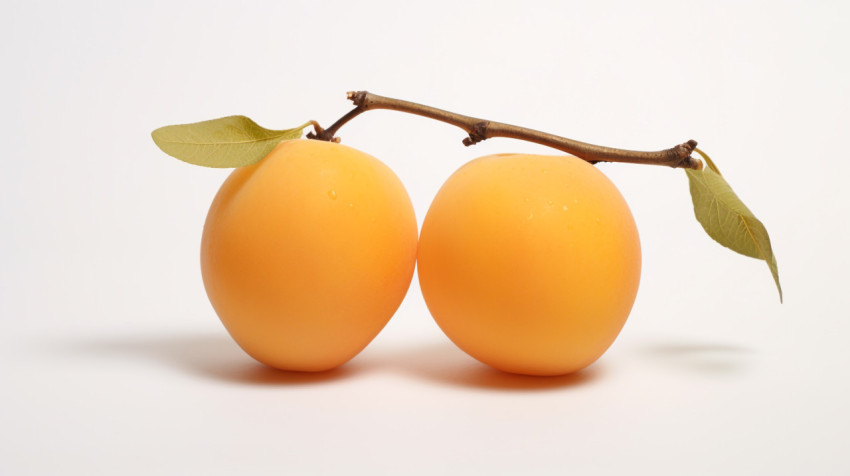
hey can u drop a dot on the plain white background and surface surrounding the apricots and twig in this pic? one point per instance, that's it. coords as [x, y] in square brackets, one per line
[113, 362]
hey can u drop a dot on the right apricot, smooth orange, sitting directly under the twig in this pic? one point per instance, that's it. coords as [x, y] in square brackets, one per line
[530, 263]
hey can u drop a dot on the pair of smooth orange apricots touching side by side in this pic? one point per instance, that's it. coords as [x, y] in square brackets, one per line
[528, 263]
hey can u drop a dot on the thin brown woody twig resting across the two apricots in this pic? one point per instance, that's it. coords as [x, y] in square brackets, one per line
[480, 129]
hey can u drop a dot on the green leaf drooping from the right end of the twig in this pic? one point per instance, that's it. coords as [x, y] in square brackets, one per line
[727, 220]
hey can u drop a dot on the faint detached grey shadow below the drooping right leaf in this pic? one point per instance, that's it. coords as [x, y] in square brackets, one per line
[701, 358]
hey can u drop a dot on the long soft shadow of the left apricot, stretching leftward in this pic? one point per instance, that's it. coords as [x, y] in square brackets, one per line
[210, 356]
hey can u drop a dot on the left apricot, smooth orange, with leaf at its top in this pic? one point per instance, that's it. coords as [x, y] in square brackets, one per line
[307, 254]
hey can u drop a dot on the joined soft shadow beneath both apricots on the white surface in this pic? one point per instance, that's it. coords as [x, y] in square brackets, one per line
[218, 357]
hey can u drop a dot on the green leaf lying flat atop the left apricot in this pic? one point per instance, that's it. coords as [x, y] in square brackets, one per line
[233, 141]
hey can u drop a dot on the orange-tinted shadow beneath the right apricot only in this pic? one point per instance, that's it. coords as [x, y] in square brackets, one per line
[444, 363]
